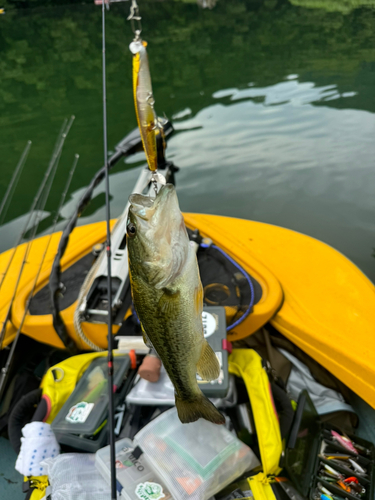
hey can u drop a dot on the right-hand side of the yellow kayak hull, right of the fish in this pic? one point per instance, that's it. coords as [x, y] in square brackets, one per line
[328, 307]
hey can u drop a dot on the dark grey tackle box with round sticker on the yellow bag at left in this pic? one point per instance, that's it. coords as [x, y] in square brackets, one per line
[81, 422]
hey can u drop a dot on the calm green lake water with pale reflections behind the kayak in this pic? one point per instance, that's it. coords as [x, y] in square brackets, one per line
[272, 101]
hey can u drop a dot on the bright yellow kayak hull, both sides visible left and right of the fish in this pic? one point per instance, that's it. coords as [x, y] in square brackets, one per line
[310, 293]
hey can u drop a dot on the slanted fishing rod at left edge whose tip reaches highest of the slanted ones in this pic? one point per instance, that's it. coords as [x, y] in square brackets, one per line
[57, 150]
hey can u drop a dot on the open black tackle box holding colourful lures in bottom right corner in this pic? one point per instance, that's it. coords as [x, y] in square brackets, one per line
[301, 461]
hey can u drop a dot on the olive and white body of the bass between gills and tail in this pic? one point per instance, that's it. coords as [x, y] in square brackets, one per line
[176, 331]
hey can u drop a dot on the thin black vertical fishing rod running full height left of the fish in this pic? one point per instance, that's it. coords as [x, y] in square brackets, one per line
[111, 412]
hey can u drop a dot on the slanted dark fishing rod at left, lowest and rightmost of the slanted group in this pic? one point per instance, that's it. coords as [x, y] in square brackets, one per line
[5, 370]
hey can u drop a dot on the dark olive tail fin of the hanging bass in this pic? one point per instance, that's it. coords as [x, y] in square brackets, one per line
[189, 410]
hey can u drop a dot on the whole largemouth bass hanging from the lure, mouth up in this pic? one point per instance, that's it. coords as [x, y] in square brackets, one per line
[168, 298]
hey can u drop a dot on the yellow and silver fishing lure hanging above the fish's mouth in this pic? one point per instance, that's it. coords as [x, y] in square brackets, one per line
[144, 101]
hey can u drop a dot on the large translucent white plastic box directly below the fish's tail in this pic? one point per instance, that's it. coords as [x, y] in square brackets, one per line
[195, 460]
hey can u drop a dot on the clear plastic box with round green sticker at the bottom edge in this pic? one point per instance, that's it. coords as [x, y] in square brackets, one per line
[135, 478]
